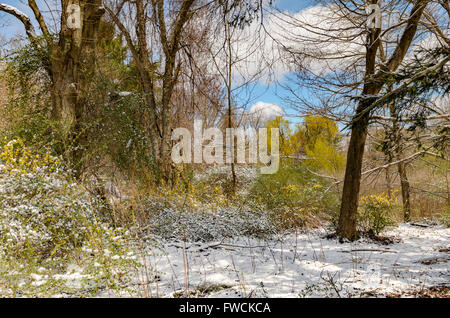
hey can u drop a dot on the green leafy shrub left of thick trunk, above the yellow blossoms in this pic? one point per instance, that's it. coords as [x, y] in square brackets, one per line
[29, 102]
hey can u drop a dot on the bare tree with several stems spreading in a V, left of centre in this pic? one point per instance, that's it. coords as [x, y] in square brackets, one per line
[155, 40]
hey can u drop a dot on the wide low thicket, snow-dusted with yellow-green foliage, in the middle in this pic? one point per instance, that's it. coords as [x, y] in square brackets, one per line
[262, 207]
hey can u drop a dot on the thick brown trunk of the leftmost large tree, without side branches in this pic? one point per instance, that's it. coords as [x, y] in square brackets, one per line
[74, 67]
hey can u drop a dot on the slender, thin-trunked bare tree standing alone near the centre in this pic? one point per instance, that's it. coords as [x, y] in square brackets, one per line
[236, 42]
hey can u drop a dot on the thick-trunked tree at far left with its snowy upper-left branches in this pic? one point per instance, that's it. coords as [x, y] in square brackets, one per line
[68, 52]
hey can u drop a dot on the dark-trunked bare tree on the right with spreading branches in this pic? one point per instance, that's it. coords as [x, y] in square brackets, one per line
[359, 61]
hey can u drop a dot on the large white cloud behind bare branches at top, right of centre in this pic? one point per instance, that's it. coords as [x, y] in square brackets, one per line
[262, 56]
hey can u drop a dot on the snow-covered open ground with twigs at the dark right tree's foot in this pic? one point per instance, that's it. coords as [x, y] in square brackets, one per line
[302, 265]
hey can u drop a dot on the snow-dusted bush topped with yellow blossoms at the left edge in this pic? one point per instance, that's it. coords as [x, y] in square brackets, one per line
[39, 209]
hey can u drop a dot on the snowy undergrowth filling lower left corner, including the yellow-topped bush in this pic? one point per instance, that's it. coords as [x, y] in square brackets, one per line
[53, 238]
